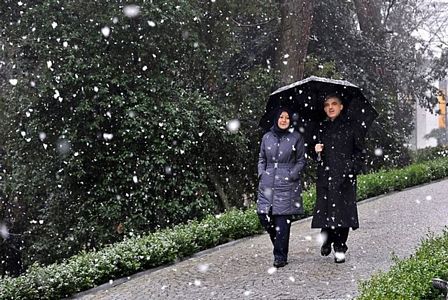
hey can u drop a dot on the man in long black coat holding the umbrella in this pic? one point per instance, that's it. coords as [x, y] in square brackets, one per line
[340, 156]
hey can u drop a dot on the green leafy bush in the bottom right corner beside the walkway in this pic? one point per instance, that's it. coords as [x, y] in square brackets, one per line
[411, 278]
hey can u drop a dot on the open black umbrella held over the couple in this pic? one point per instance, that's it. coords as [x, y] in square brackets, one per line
[305, 98]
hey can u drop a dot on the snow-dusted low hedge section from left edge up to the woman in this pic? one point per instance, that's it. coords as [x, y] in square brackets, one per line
[88, 269]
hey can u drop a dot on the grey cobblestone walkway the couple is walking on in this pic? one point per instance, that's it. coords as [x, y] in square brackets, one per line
[394, 223]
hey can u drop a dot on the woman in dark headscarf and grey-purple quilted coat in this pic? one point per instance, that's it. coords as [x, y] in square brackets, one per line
[280, 163]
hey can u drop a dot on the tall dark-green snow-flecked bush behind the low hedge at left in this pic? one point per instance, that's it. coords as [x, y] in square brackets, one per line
[113, 134]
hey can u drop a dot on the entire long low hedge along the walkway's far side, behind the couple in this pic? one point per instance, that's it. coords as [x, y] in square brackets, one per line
[89, 269]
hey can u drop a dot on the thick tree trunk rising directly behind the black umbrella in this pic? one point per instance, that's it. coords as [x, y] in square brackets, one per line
[296, 20]
